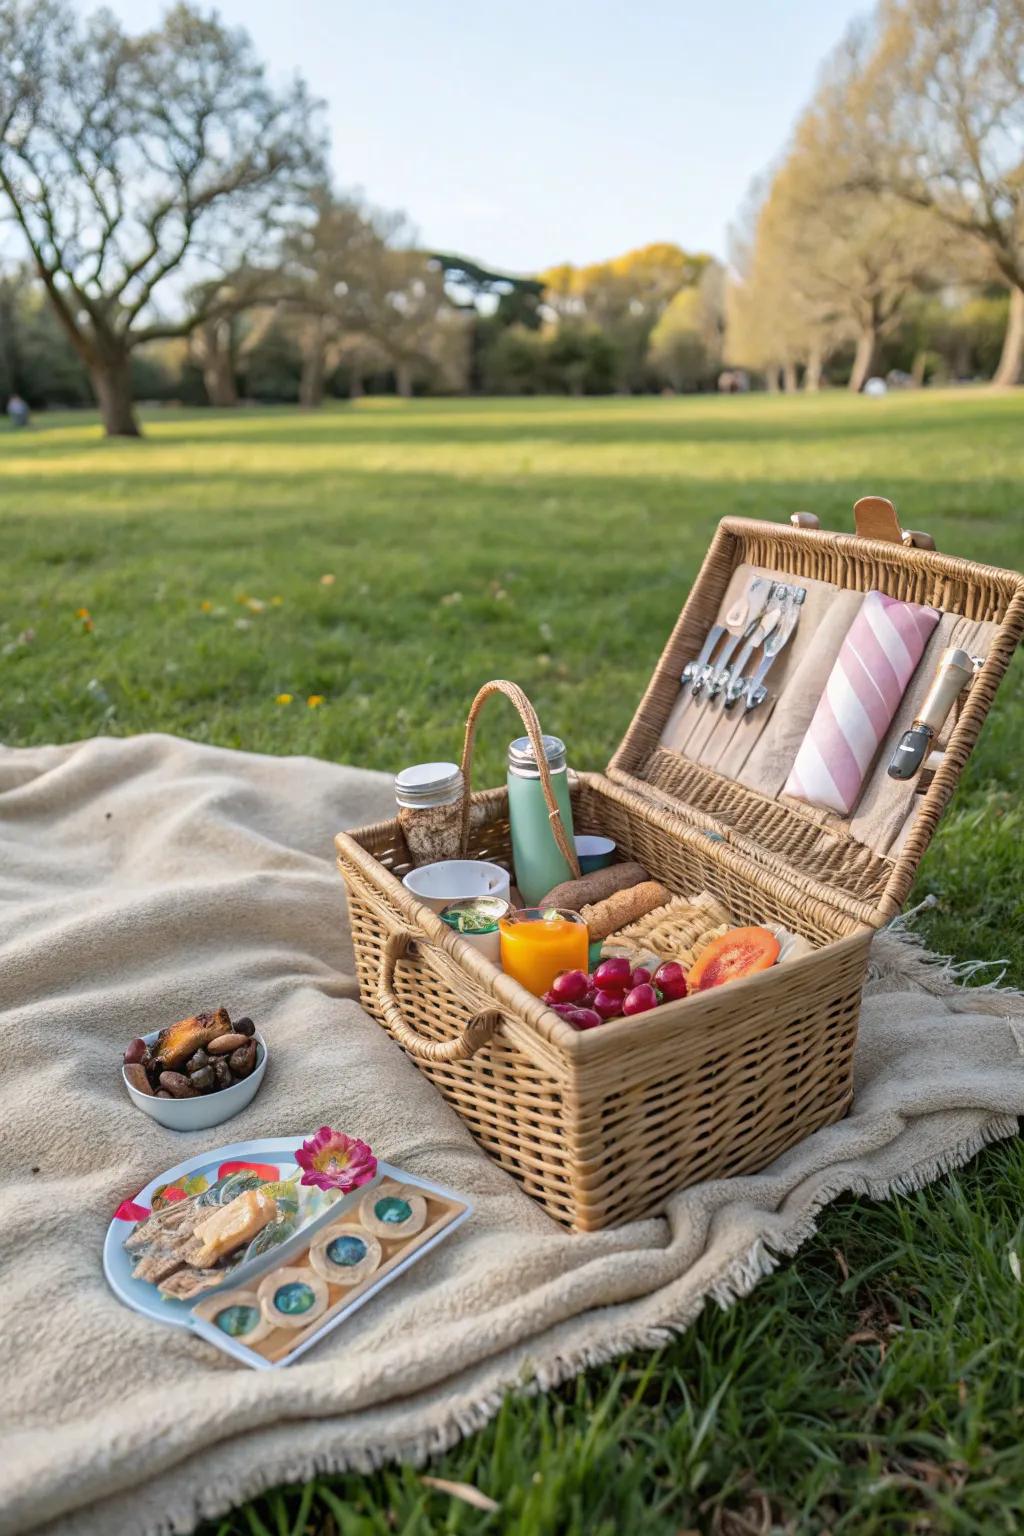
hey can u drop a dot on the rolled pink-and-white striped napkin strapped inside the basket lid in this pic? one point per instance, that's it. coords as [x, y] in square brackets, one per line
[862, 697]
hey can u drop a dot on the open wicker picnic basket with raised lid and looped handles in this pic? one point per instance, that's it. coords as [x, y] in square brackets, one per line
[603, 1127]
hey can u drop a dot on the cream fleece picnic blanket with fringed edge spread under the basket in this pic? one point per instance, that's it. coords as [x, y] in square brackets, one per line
[144, 879]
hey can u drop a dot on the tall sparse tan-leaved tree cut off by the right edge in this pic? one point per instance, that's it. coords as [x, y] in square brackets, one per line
[937, 119]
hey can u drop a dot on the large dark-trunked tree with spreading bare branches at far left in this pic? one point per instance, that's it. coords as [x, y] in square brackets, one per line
[133, 165]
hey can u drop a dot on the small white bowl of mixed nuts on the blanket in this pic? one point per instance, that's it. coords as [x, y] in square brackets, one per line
[199, 1073]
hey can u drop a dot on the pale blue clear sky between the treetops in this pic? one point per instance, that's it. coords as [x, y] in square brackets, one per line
[530, 134]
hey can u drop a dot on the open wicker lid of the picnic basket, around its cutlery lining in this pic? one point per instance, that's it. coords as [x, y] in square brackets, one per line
[833, 859]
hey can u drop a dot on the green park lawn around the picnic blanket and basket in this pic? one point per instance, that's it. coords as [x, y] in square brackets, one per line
[873, 1386]
